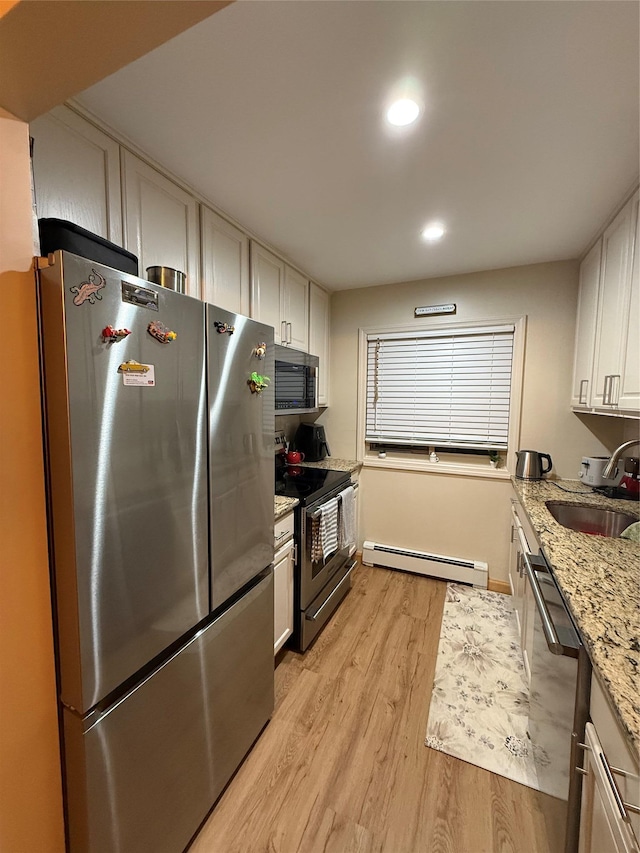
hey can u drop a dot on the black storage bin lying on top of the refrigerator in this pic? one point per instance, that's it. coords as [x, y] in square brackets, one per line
[60, 234]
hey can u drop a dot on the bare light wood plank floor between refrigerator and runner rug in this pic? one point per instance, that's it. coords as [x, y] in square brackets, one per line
[342, 766]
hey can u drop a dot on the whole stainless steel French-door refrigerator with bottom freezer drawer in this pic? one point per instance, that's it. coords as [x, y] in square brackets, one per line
[160, 483]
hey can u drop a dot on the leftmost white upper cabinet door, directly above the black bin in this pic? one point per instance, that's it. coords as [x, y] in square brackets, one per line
[76, 171]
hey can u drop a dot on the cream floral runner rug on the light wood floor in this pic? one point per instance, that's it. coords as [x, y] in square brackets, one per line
[480, 700]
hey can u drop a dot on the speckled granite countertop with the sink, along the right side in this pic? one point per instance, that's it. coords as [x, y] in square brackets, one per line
[600, 580]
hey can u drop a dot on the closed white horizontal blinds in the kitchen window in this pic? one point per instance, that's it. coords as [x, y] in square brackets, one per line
[442, 387]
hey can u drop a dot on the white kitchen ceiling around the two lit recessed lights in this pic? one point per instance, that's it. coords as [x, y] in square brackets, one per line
[274, 111]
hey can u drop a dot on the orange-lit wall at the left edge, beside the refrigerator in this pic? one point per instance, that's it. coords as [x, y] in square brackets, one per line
[30, 783]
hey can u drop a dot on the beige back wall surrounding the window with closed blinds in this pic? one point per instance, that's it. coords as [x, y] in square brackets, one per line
[454, 515]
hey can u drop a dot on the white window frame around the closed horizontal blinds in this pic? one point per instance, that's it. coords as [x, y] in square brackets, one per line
[403, 461]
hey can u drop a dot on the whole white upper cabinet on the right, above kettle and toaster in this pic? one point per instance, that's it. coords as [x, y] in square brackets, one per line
[607, 355]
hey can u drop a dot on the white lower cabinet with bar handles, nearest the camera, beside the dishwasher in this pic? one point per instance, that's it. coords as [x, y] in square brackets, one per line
[609, 821]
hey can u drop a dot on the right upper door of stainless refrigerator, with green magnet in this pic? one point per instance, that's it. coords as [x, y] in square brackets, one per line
[241, 428]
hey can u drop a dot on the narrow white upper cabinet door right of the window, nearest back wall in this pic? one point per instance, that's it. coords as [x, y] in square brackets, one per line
[586, 327]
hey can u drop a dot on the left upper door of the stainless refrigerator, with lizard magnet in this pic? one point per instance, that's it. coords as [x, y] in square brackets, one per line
[127, 474]
